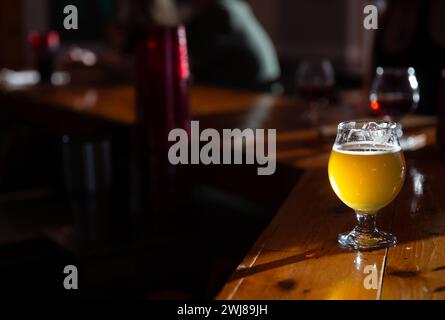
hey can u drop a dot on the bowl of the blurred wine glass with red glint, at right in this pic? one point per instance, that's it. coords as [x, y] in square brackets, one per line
[394, 92]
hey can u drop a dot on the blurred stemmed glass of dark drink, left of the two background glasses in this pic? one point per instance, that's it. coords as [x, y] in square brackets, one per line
[314, 83]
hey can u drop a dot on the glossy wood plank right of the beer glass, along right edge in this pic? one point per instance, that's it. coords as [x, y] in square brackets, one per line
[416, 266]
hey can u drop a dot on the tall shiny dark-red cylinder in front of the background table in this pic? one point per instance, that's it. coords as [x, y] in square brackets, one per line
[162, 93]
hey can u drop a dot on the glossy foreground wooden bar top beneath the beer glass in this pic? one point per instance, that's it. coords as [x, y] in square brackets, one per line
[297, 256]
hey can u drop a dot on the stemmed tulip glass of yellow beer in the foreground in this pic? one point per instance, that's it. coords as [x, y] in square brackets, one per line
[366, 171]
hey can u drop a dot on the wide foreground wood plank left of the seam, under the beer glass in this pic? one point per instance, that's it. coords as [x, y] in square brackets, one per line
[297, 256]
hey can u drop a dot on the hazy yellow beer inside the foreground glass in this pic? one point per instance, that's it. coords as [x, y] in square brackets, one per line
[365, 176]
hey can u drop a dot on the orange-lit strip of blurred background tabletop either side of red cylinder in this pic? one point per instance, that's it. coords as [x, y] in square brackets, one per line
[117, 103]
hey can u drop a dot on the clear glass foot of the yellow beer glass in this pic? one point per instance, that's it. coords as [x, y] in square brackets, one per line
[366, 241]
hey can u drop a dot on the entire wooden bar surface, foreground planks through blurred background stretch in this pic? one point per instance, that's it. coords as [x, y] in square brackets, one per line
[296, 257]
